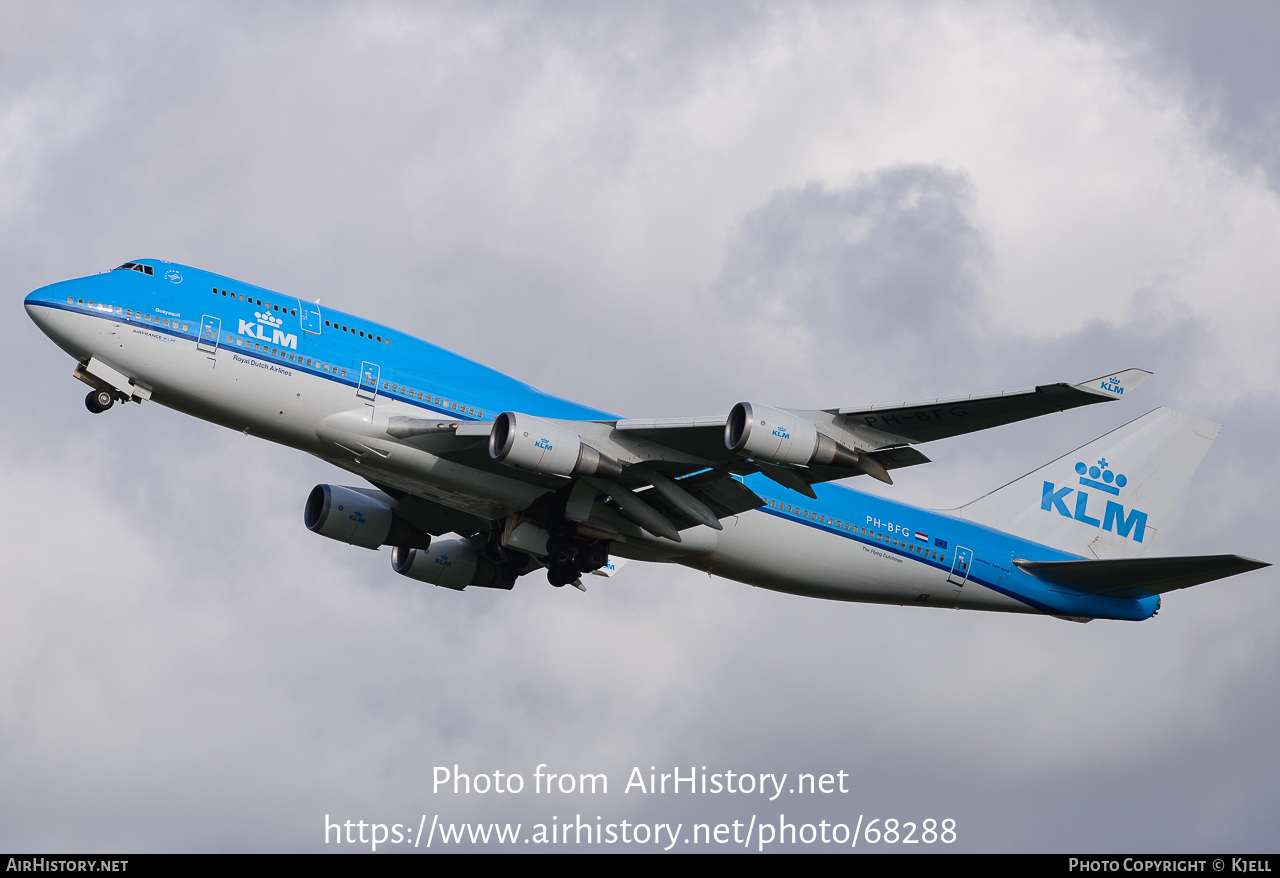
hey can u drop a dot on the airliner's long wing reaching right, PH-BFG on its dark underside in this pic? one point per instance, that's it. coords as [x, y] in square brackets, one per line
[670, 474]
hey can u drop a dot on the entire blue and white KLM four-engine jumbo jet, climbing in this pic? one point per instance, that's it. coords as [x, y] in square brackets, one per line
[477, 479]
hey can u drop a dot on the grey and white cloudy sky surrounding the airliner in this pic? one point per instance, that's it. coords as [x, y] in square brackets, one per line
[660, 211]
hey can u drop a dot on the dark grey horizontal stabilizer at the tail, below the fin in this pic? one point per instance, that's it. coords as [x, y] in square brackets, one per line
[1139, 578]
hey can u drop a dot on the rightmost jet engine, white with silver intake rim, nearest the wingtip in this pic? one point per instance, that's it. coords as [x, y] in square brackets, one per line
[776, 437]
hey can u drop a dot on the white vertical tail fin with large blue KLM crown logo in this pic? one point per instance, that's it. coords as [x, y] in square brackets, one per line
[1109, 499]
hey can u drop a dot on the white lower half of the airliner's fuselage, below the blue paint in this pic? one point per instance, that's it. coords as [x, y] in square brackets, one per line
[271, 399]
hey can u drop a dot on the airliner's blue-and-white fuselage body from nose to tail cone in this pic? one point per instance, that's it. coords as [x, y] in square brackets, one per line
[331, 383]
